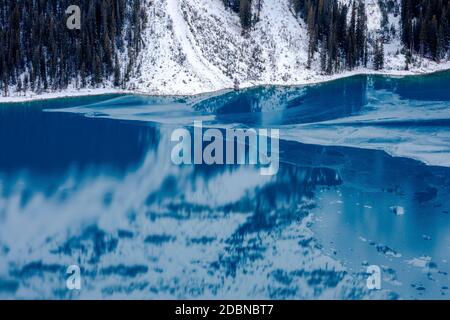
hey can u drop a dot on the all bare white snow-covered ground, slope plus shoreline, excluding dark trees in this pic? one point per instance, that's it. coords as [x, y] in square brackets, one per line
[197, 46]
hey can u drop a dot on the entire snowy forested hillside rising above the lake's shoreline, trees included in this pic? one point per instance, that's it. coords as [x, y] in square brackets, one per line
[192, 46]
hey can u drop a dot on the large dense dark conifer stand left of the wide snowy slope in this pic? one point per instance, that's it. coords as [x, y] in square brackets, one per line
[39, 52]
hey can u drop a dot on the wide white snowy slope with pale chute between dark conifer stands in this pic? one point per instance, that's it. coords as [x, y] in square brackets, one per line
[197, 45]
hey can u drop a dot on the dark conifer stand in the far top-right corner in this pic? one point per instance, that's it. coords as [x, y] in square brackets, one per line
[425, 27]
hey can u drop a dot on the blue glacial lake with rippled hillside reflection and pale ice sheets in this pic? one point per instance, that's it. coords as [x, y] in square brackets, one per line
[89, 181]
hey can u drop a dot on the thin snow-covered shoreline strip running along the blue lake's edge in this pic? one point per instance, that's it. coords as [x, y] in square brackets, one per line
[318, 79]
